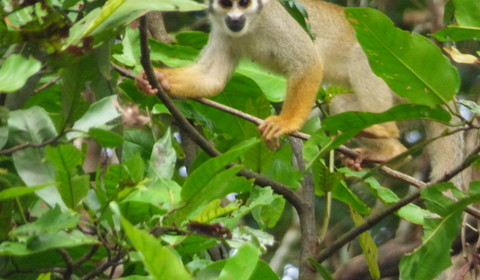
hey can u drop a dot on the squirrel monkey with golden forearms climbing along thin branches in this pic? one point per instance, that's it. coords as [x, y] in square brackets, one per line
[263, 31]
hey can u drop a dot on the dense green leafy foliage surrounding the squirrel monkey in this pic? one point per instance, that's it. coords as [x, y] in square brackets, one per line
[99, 181]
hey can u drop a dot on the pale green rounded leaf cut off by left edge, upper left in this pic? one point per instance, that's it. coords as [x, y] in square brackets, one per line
[15, 71]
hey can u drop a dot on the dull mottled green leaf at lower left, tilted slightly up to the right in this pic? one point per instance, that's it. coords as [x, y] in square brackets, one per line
[51, 222]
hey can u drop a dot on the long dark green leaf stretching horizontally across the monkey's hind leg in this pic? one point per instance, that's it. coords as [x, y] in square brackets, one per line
[352, 123]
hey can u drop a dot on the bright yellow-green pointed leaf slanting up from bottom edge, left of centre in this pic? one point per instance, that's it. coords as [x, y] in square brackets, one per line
[159, 261]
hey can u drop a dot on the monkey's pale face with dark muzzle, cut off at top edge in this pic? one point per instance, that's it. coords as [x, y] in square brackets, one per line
[235, 16]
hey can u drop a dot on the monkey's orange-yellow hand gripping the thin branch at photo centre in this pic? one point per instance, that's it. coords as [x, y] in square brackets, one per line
[274, 127]
